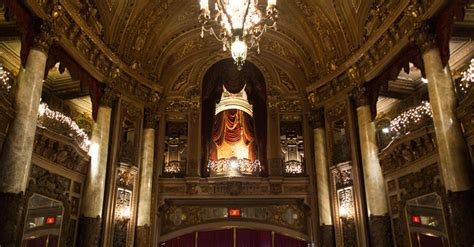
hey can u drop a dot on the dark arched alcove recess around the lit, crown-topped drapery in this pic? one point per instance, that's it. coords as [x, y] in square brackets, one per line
[225, 73]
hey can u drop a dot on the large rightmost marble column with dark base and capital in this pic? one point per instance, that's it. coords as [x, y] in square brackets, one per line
[454, 160]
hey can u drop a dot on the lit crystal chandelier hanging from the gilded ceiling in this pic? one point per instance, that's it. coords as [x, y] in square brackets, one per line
[239, 23]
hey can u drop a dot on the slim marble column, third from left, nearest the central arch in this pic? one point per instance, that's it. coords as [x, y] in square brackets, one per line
[145, 212]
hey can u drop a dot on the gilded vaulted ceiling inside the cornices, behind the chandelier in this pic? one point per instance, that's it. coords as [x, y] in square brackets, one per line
[161, 37]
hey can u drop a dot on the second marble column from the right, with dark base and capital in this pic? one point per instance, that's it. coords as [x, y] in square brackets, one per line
[376, 198]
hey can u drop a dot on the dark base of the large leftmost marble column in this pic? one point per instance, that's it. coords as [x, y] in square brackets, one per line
[11, 218]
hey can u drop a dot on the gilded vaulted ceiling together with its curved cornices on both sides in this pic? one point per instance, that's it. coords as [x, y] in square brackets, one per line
[153, 48]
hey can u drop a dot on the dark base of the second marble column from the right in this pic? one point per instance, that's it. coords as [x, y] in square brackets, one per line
[380, 231]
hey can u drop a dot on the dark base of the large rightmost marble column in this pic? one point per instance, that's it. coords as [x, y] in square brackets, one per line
[461, 217]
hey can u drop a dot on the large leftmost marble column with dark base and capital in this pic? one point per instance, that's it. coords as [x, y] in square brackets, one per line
[15, 160]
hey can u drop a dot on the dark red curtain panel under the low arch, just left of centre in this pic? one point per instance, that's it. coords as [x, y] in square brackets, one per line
[220, 238]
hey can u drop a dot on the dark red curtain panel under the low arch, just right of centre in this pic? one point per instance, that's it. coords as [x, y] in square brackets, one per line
[253, 238]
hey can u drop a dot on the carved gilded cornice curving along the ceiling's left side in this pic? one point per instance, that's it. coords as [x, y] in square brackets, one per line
[88, 49]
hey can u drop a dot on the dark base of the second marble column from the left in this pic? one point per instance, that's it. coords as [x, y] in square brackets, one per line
[89, 230]
